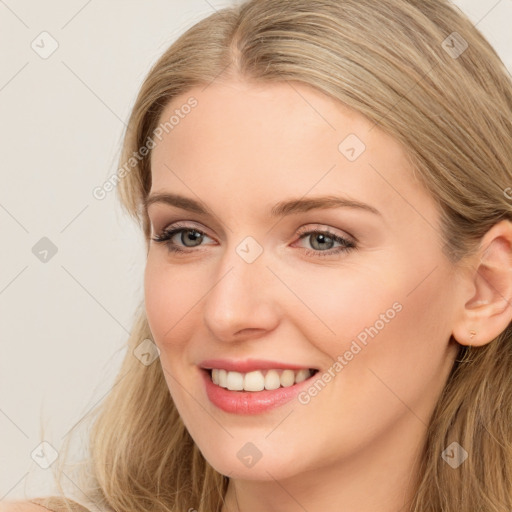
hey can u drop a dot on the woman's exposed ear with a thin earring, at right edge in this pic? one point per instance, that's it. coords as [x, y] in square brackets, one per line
[486, 308]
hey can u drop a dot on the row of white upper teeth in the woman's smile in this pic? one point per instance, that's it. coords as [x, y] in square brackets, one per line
[258, 380]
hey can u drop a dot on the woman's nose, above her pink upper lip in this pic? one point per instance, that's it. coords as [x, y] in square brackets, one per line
[242, 301]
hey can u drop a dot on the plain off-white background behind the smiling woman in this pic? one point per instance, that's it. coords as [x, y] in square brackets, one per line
[64, 321]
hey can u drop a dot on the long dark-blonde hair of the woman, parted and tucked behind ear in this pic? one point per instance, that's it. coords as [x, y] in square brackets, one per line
[399, 63]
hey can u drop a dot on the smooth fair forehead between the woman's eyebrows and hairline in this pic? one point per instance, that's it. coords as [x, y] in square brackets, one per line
[274, 140]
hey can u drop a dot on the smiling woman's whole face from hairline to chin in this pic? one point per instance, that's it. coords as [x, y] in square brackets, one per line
[371, 310]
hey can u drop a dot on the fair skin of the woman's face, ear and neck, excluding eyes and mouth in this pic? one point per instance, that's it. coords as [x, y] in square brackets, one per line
[243, 149]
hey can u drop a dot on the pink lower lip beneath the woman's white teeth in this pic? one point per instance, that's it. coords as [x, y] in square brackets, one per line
[250, 402]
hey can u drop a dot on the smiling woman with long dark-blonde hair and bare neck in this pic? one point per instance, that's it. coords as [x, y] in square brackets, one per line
[324, 191]
